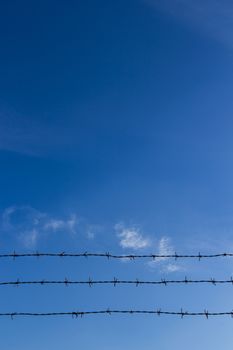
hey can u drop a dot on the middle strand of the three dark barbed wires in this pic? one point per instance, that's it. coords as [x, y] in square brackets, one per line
[115, 281]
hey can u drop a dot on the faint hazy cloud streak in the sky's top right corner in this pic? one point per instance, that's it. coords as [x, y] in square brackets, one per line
[211, 17]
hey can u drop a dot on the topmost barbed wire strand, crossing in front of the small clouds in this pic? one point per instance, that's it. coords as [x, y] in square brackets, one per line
[107, 255]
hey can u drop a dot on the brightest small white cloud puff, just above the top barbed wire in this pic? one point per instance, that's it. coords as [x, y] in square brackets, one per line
[131, 237]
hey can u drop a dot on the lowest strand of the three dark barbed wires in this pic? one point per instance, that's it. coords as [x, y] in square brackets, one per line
[158, 312]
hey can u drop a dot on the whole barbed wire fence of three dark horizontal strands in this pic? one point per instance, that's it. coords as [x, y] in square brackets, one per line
[116, 281]
